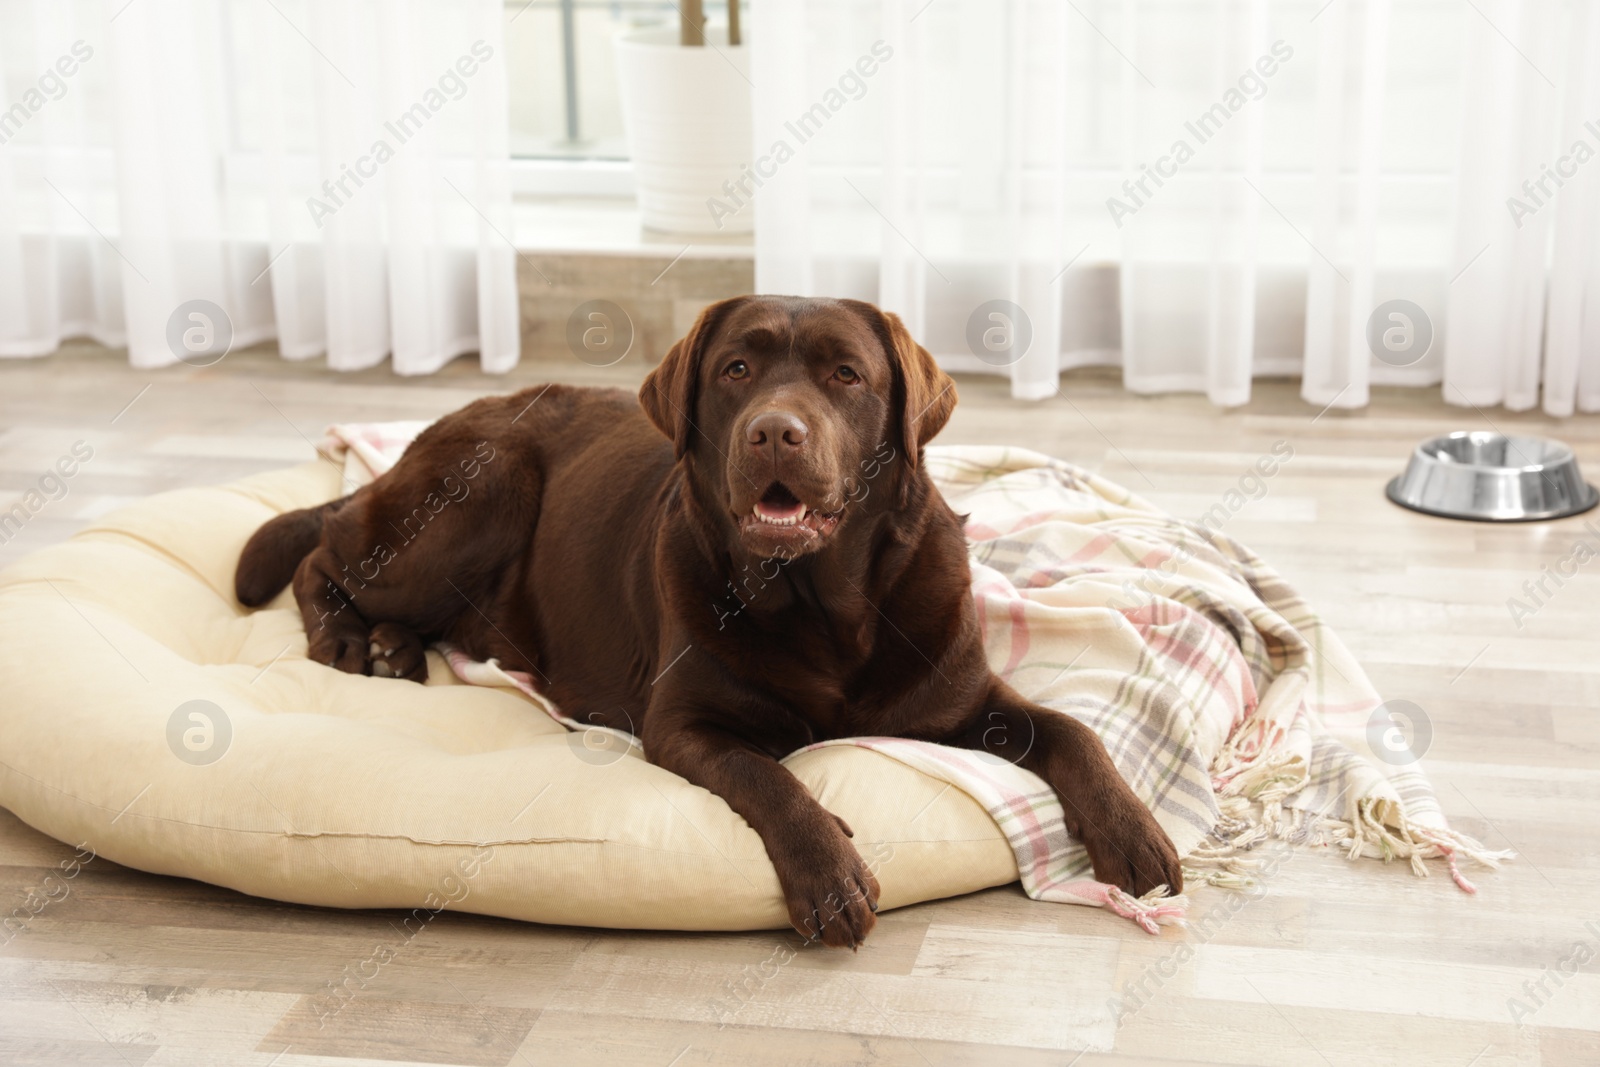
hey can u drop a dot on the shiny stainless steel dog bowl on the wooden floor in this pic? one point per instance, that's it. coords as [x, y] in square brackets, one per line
[1494, 479]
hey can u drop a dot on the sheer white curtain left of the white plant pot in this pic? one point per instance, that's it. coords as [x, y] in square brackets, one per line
[332, 174]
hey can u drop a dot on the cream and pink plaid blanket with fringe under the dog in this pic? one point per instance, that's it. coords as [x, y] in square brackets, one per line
[1225, 701]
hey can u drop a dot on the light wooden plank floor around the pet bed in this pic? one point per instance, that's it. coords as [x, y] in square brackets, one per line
[1335, 964]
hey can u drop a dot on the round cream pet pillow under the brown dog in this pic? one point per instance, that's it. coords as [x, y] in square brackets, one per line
[158, 722]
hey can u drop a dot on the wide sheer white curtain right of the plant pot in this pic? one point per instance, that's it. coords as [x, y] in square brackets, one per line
[1201, 191]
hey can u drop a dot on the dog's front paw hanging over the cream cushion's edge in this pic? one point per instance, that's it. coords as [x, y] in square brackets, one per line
[830, 890]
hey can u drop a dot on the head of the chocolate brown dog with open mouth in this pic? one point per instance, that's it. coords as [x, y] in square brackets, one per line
[794, 412]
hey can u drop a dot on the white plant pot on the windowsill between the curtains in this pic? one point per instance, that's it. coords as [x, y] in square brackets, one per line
[687, 113]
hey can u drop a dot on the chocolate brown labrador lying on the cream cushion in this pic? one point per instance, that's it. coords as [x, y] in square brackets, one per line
[748, 559]
